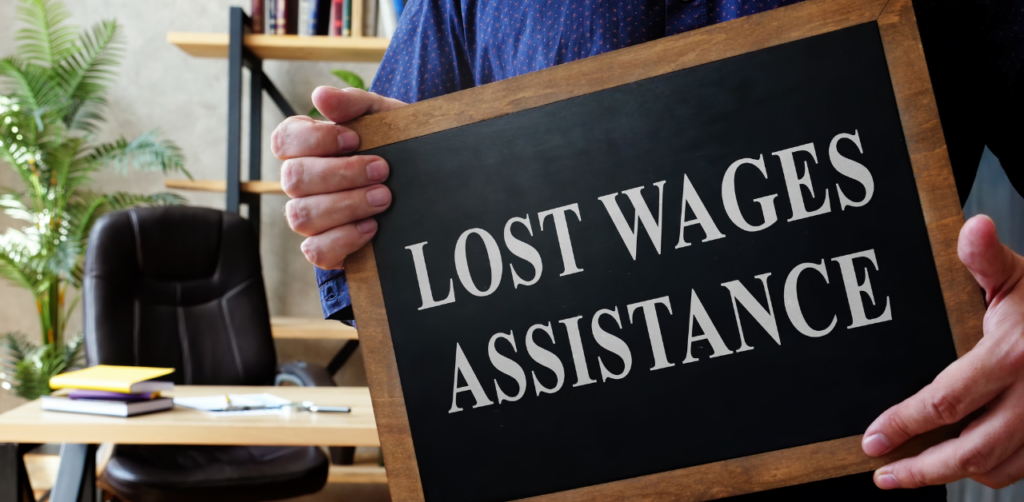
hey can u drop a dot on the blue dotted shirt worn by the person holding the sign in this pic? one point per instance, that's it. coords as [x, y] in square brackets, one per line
[974, 51]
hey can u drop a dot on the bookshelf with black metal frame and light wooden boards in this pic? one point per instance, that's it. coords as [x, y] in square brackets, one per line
[246, 51]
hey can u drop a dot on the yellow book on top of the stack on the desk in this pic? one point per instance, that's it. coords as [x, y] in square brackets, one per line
[126, 380]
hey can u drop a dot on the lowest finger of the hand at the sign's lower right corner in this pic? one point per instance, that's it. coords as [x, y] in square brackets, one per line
[982, 449]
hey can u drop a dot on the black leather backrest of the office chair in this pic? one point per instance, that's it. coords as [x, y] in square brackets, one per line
[179, 287]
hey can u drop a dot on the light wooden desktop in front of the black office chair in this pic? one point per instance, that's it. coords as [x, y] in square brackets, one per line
[29, 424]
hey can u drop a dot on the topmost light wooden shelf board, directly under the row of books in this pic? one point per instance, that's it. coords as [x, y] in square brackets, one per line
[286, 47]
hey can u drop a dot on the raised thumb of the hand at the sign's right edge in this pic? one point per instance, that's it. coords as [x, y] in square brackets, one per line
[996, 267]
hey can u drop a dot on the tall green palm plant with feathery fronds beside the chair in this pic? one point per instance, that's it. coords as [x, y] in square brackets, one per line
[52, 107]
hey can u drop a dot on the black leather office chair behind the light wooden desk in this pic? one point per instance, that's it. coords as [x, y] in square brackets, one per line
[183, 288]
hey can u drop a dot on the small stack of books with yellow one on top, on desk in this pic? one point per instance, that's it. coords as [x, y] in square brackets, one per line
[116, 391]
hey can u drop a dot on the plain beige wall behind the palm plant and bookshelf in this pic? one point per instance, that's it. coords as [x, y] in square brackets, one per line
[186, 98]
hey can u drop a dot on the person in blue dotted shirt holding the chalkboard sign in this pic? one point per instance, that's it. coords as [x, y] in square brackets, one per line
[443, 48]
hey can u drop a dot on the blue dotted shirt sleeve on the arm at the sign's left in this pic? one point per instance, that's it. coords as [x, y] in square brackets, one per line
[426, 59]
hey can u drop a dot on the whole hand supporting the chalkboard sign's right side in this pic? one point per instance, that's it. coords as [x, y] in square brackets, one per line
[990, 379]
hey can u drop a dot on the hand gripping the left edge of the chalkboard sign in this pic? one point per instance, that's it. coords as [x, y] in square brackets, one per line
[333, 197]
